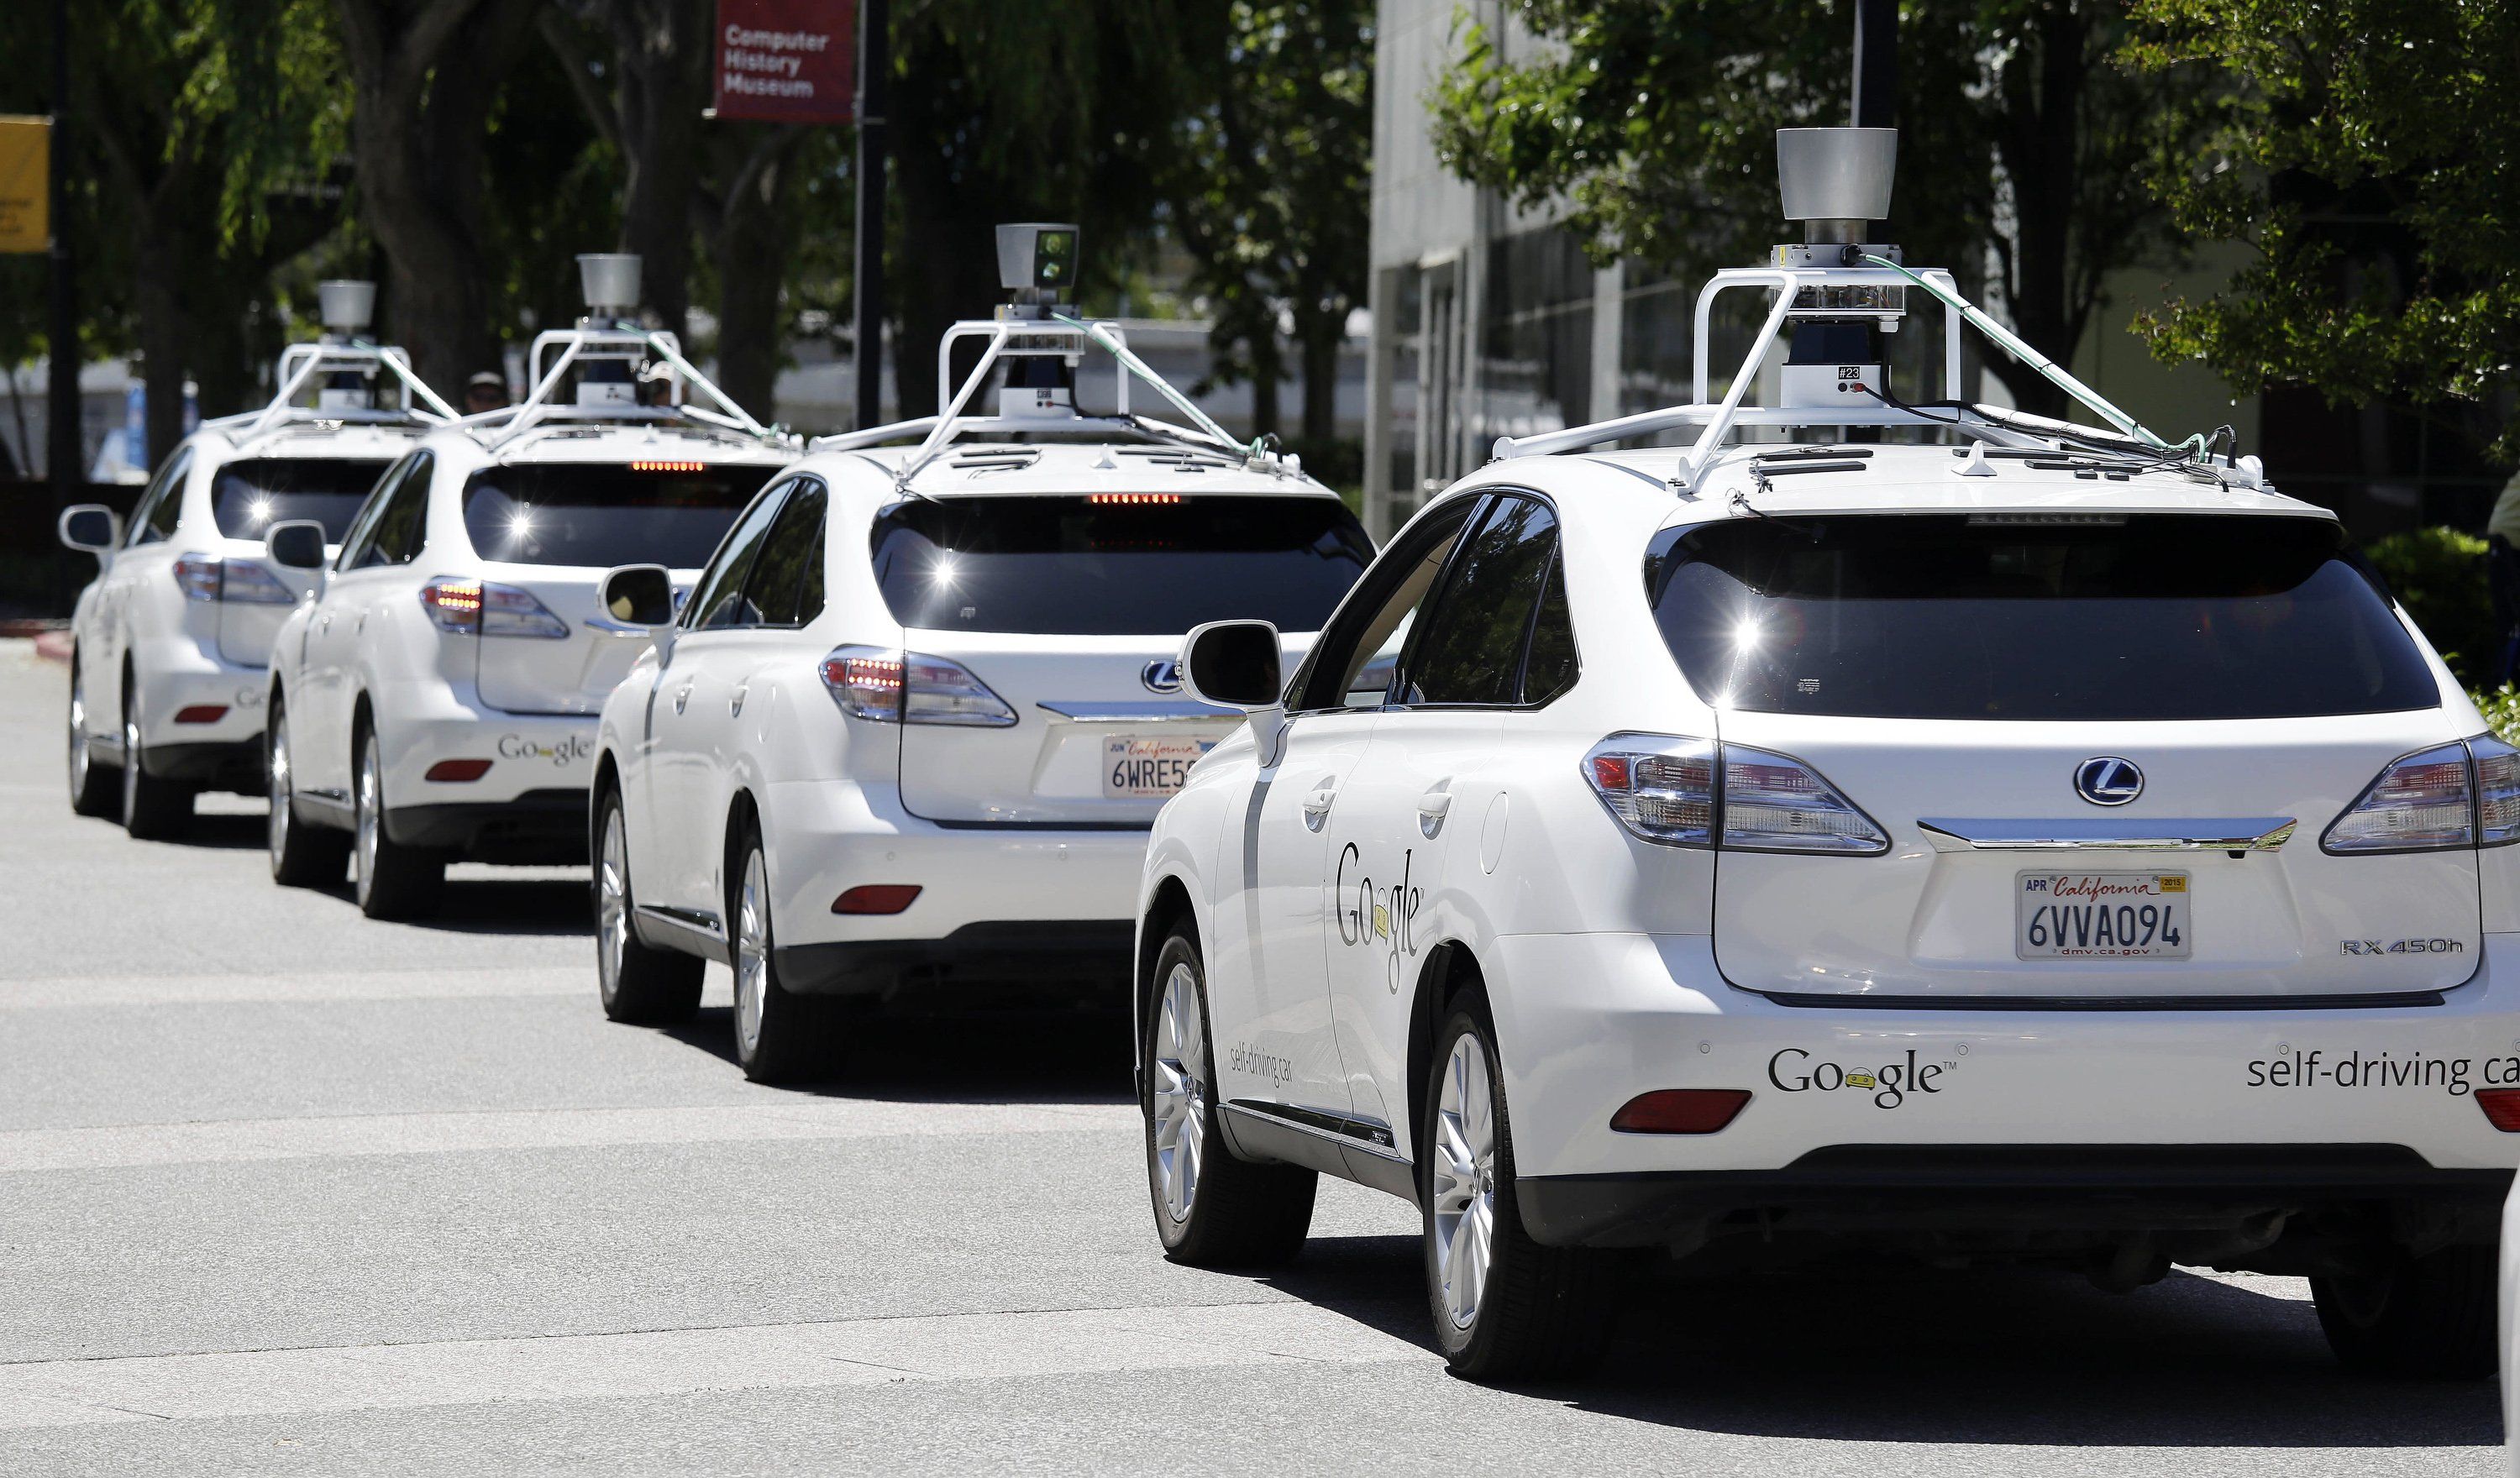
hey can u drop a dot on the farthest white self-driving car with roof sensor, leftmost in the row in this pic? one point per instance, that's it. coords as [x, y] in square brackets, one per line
[173, 641]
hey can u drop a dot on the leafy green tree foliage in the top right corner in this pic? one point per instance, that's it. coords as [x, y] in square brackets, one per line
[2368, 162]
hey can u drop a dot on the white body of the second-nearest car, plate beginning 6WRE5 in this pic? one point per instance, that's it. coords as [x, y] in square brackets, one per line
[1024, 865]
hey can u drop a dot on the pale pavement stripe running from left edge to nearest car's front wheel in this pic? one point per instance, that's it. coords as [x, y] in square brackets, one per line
[533, 1129]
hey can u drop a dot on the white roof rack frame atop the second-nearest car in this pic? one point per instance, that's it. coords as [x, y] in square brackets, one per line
[1012, 339]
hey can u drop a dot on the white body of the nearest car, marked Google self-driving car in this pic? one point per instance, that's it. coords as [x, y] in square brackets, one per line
[2294, 1094]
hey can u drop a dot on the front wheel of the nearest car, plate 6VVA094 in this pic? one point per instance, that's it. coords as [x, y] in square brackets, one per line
[1211, 1210]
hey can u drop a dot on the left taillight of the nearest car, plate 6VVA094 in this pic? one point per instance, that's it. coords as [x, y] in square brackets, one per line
[1687, 792]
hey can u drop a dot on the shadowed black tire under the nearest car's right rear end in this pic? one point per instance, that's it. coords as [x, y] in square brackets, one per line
[2420, 1318]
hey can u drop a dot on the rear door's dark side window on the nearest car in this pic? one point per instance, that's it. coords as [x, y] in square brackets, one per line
[1470, 648]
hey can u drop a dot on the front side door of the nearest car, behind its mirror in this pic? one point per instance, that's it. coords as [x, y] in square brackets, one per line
[1274, 910]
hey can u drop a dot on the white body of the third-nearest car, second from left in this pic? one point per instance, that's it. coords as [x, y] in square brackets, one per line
[485, 739]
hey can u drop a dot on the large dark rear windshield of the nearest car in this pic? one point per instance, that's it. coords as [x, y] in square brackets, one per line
[2027, 616]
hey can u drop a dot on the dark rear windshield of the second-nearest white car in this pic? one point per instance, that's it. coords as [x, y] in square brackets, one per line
[1108, 568]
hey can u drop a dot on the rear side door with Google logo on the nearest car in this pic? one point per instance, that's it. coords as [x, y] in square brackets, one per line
[1410, 827]
